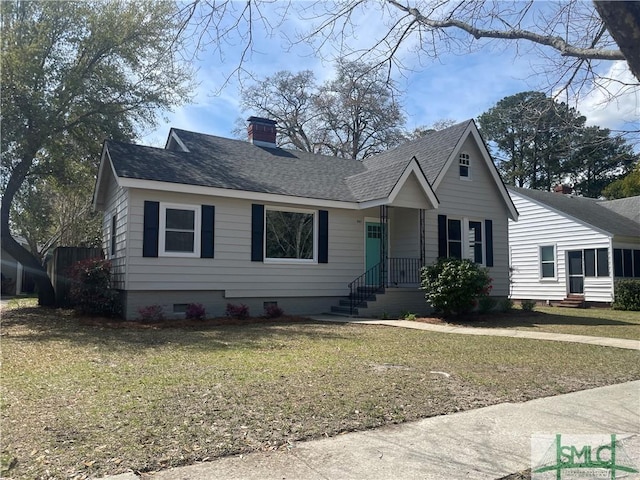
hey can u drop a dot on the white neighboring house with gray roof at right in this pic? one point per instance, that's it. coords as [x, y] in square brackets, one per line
[565, 245]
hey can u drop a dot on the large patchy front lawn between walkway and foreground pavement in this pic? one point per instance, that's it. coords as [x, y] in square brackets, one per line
[83, 400]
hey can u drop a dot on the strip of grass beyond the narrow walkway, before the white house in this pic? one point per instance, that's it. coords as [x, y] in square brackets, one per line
[598, 322]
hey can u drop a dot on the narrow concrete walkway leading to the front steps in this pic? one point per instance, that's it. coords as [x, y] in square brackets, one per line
[496, 332]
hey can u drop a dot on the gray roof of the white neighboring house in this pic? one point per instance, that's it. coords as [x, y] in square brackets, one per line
[589, 210]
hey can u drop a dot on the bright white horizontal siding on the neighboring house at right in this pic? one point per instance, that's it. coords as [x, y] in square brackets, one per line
[539, 226]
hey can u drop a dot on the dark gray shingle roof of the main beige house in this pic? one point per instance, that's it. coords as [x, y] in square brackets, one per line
[235, 164]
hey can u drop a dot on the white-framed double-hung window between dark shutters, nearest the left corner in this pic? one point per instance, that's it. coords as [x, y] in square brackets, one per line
[179, 230]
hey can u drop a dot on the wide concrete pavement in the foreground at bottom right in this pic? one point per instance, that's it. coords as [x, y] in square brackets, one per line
[487, 443]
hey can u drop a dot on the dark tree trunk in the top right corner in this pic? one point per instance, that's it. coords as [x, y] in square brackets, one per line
[623, 22]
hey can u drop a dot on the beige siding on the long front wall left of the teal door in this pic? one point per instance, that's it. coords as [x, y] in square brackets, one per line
[232, 270]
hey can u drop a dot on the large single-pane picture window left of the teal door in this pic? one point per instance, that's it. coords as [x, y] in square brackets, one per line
[290, 234]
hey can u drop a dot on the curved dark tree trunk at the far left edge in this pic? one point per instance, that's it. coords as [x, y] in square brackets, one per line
[31, 264]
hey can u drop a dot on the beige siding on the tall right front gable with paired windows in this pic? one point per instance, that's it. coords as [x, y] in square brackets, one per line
[476, 199]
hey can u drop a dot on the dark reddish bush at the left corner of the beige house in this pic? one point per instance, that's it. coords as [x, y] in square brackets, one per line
[91, 292]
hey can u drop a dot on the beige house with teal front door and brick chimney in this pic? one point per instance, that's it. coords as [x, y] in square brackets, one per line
[213, 220]
